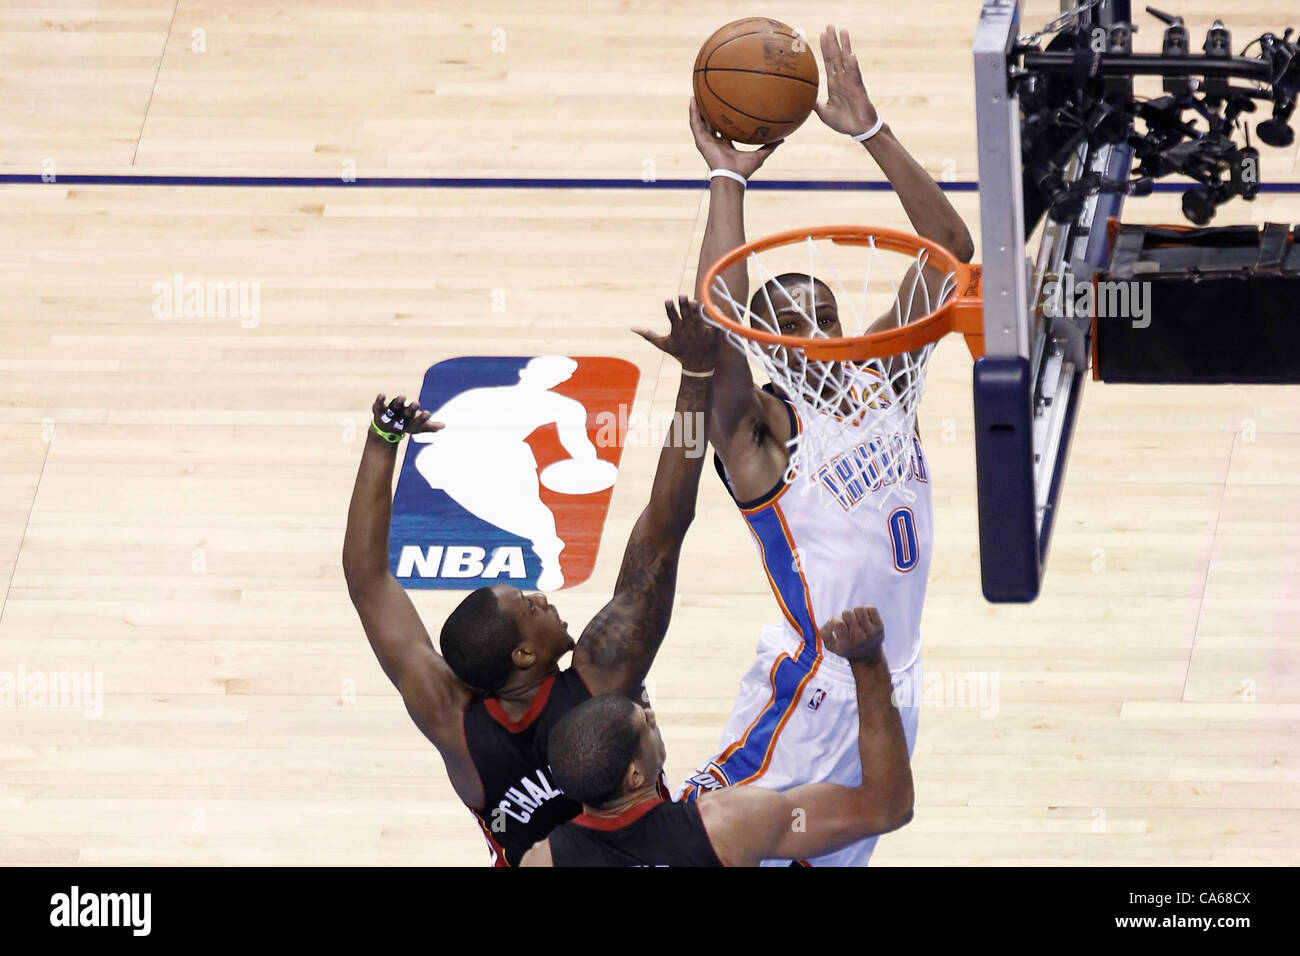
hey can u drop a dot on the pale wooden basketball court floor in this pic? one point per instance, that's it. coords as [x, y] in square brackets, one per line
[174, 491]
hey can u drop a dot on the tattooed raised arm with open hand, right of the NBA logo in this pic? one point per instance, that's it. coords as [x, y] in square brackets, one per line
[619, 644]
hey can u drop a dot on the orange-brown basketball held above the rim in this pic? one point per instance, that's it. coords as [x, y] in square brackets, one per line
[756, 81]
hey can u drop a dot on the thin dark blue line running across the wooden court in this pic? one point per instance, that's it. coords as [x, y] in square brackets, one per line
[517, 183]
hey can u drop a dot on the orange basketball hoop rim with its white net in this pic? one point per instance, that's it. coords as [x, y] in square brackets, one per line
[856, 396]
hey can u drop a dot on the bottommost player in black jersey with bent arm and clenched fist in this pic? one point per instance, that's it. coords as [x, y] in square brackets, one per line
[609, 754]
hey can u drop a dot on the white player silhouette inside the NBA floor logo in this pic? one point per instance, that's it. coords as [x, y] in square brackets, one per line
[484, 464]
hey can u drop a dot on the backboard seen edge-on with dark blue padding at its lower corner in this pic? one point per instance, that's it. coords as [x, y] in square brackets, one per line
[1029, 383]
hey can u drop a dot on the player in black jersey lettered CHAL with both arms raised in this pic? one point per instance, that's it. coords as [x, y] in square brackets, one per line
[491, 700]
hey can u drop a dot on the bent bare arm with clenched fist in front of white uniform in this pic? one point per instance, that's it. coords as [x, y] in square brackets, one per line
[751, 824]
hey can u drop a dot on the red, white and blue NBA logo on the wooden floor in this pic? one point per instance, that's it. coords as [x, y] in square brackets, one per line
[517, 487]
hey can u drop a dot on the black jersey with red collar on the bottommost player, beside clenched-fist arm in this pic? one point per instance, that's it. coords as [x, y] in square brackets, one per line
[653, 833]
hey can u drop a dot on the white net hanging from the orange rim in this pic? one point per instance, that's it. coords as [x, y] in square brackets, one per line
[857, 419]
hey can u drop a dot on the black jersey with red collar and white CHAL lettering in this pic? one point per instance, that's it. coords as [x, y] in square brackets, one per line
[522, 804]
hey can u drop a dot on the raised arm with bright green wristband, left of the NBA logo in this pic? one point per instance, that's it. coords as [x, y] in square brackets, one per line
[435, 698]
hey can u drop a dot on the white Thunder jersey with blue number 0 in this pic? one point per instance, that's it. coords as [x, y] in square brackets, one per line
[824, 559]
